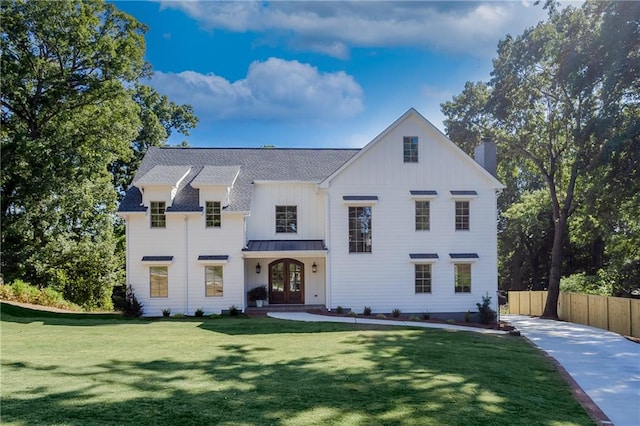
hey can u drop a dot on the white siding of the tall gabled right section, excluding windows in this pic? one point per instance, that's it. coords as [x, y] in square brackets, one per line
[385, 279]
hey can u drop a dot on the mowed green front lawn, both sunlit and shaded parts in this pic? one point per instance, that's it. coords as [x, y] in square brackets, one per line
[59, 369]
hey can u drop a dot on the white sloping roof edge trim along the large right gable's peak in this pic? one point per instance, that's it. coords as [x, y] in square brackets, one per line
[413, 113]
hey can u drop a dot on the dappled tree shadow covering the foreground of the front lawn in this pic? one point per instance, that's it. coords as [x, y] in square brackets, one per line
[420, 377]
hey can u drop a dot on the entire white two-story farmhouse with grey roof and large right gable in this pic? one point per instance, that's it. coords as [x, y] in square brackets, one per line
[407, 222]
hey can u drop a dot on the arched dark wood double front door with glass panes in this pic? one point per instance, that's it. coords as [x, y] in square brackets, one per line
[286, 282]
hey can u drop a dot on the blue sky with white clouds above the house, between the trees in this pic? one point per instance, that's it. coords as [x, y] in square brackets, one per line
[321, 73]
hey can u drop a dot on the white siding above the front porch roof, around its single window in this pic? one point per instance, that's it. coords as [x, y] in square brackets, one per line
[261, 224]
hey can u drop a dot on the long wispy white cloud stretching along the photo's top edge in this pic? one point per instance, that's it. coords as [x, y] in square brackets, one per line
[333, 27]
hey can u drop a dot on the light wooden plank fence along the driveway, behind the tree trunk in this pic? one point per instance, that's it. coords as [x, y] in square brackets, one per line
[616, 314]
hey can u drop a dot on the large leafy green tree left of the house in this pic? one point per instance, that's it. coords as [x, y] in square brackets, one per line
[66, 115]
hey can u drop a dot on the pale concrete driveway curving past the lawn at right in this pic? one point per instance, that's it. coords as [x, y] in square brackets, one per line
[604, 364]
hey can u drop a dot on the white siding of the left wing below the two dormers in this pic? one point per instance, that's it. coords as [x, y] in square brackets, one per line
[185, 238]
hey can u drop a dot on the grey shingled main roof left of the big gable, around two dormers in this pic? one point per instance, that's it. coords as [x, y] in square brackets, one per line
[256, 164]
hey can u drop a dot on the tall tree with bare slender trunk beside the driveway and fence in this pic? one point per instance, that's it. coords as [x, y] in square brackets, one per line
[561, 90]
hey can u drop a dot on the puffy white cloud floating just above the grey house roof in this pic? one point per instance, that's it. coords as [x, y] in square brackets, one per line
[273, 89]
